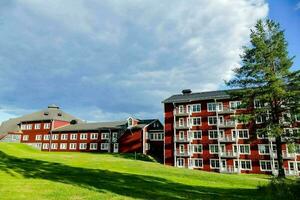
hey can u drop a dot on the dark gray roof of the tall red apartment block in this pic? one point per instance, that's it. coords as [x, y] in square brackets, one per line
[210, 95]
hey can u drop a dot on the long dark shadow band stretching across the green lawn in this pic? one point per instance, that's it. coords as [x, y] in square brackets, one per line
[131, 185]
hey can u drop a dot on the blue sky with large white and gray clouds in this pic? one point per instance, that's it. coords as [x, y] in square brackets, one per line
[107, 60]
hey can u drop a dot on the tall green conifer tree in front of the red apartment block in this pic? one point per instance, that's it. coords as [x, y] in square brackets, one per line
[266, 77]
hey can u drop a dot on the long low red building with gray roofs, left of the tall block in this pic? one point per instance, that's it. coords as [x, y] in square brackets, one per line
[54, 130]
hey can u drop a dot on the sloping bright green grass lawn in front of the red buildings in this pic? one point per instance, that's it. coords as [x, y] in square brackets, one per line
[26, 173]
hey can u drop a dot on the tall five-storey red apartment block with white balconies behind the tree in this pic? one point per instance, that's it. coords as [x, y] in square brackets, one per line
[201, 133]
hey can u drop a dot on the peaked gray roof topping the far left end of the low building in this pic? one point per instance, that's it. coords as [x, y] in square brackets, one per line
[51, 113]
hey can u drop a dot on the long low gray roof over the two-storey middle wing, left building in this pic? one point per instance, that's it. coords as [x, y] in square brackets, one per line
[91, 126]
